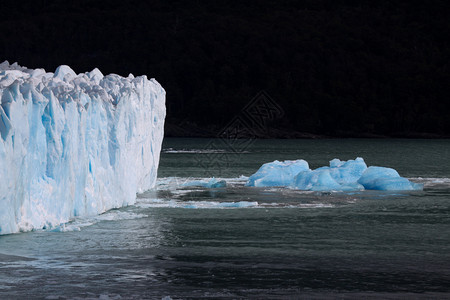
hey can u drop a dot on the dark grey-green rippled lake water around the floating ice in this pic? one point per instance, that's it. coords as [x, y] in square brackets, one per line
[241, 242]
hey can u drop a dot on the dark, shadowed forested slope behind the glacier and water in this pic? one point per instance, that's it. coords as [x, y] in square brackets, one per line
[337, 68]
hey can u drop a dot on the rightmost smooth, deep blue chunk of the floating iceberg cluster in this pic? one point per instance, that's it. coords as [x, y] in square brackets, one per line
[387, 179]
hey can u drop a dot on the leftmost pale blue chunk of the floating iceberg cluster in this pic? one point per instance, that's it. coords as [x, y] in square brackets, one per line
[277, 173]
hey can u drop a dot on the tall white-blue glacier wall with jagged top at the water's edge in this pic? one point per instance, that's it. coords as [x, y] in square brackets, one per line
[74, 144]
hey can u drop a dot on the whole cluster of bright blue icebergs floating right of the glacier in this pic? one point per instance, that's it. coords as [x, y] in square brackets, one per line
[351, 175]
